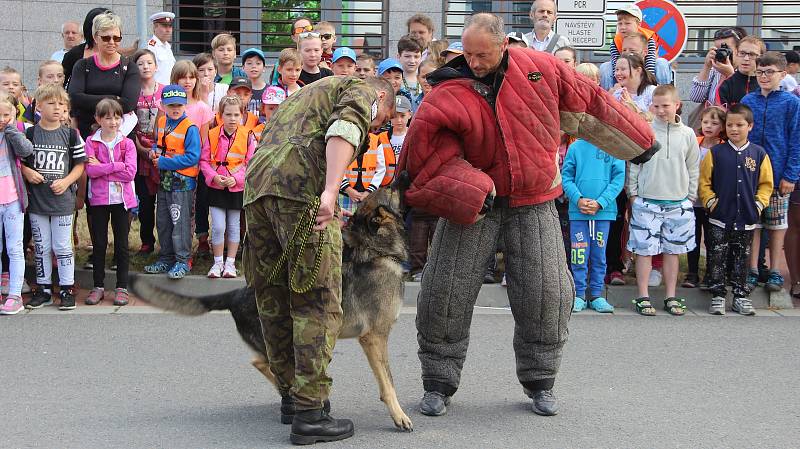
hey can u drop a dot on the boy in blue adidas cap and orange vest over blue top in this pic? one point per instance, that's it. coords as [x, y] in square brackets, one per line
[175, 154]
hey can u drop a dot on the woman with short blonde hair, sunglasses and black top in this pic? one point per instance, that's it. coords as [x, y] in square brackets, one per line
[104, 74]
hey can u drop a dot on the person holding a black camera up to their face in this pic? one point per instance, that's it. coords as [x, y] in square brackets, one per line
[720, 63]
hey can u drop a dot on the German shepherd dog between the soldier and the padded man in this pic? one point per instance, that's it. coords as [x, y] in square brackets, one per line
[372, 287]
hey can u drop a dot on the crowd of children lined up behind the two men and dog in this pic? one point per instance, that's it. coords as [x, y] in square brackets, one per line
[186, 159]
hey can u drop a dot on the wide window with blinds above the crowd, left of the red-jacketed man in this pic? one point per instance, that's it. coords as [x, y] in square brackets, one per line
[362, 25]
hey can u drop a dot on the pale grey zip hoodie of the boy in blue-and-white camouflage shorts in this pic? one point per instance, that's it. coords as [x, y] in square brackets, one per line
[672, 173]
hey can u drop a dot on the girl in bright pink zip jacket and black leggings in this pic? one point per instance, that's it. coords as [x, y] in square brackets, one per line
[111, 168]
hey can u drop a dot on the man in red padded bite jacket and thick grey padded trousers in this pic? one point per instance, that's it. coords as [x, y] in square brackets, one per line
[482, 153]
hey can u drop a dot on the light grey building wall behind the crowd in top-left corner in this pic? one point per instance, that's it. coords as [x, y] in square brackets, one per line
[30, 30]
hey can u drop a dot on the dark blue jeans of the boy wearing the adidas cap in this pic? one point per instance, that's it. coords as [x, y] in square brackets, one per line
[174, 212]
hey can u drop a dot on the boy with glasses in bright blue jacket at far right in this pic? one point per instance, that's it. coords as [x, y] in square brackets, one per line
[775, 127]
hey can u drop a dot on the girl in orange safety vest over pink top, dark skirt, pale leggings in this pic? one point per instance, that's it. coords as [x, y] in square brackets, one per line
[224, 163]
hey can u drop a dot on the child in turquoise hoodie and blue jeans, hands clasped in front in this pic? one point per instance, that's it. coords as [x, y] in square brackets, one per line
[592, 180]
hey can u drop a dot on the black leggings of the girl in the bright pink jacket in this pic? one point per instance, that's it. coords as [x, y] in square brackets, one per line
[119, 224]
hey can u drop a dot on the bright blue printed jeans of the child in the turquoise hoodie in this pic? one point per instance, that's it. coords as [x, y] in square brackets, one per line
[588, 254]
